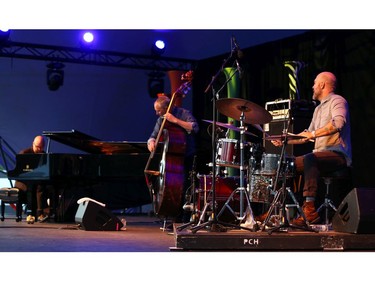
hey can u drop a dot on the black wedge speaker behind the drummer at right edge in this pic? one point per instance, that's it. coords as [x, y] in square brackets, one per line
[356, 213]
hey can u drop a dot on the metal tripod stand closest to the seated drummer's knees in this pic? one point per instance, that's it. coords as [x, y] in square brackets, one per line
[281, 195]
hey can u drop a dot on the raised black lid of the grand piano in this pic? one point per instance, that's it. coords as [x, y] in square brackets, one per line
[90, 144]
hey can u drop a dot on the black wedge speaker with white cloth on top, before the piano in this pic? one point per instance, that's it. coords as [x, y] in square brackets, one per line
[92, 215]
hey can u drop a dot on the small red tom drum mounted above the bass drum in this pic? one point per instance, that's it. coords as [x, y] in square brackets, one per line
[228, 152]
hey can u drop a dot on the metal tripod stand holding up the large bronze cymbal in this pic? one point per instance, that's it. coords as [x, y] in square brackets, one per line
[241, 190]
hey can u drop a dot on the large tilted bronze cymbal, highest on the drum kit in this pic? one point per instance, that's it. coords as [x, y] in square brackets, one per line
[253, 113]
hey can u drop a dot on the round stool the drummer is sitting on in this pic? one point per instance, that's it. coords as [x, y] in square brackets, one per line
[329, 178]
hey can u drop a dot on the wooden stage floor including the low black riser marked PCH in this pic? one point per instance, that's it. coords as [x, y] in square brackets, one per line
[145, 233]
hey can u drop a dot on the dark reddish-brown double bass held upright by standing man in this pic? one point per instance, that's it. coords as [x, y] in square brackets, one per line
[166, 184]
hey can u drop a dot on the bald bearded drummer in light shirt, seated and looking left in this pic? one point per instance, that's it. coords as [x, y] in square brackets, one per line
[330, 129]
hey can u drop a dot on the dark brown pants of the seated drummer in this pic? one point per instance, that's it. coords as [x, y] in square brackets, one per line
[313, 165]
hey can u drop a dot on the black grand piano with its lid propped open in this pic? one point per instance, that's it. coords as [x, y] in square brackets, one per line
[107, 171]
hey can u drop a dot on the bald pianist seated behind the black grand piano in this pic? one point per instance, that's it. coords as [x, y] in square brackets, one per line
[42, 192]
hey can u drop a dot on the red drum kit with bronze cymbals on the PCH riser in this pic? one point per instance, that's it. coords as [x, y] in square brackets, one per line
[258, 171]
